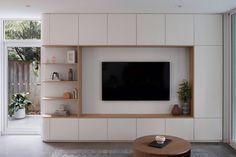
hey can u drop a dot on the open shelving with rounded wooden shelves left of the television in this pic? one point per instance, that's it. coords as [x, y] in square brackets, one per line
[60, 66]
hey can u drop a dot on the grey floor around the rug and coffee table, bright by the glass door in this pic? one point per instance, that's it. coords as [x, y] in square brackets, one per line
[32, 146]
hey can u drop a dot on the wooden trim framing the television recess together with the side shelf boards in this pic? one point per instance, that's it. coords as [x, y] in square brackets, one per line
[78, 85]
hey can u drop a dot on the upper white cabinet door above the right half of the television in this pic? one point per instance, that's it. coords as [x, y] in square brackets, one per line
[150, 29]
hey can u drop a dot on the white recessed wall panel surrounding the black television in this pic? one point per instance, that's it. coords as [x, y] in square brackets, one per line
[91, 78]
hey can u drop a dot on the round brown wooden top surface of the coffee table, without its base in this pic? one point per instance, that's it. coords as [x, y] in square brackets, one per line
[175, 147]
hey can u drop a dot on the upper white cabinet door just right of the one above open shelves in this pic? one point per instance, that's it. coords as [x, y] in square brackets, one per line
[93, 29]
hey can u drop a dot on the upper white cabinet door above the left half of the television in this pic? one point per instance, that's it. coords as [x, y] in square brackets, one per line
[122, 29]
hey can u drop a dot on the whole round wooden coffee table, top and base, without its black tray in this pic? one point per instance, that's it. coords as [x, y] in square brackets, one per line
[177, 147]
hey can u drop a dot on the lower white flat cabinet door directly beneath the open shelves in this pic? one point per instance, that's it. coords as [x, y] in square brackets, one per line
[64, 129]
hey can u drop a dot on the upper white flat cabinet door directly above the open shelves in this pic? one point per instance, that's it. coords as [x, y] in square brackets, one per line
[64, 29]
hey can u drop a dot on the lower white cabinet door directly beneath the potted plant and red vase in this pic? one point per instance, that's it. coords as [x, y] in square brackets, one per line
[182, 128]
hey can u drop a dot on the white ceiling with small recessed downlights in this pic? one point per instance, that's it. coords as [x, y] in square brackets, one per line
[34, 8]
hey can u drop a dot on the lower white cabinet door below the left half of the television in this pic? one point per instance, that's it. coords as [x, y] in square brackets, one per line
[121, 129]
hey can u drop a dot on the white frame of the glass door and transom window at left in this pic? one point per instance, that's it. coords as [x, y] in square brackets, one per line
[4, 44]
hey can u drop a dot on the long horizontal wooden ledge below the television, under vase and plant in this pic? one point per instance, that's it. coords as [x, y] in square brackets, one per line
[133, 116]
